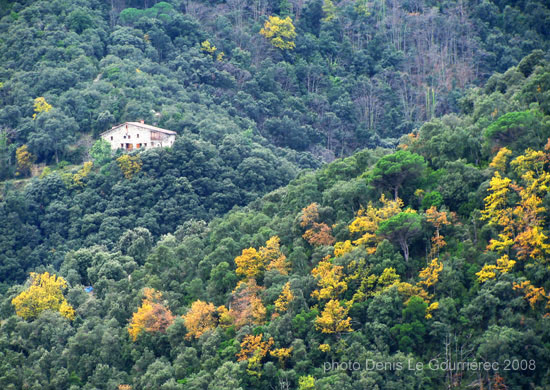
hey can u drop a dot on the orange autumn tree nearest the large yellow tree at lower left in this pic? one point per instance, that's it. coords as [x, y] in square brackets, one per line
[152, 315]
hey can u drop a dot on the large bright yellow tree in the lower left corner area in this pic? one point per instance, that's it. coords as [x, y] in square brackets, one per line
[44, 293]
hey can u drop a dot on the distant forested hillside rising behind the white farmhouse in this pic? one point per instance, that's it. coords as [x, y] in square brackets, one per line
[332, 78]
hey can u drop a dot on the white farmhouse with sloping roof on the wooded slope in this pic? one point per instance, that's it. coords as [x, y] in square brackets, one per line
[138, 135]
